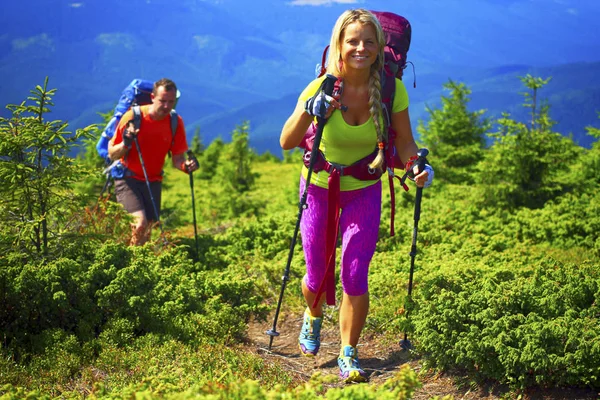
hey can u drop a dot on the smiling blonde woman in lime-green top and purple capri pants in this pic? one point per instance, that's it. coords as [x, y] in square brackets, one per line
[356, 57]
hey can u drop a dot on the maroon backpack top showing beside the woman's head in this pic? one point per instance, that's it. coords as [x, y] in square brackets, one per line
[397, 31]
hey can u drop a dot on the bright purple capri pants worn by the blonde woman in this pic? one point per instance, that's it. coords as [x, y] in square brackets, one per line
[359, 228]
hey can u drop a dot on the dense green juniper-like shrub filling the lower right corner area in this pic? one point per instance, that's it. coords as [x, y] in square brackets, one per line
[520, 327]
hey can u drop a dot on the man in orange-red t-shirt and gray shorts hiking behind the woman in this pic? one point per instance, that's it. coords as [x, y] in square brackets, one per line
[155, 139]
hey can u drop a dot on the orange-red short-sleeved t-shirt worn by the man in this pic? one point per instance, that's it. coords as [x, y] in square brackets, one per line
[155, 139]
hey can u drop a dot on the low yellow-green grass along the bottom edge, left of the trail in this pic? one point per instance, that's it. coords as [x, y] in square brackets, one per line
[153, 369]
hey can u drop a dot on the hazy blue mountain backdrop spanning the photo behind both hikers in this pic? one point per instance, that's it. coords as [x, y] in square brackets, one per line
[236, 60]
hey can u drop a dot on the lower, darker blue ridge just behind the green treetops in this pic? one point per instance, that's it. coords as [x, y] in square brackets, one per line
[573, 93]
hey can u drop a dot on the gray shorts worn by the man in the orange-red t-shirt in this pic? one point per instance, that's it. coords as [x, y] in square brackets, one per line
[133, 195]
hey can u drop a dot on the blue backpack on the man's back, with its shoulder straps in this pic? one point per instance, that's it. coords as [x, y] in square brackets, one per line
[136, 94]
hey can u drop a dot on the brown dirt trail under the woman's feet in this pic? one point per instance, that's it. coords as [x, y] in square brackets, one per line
[379, 359]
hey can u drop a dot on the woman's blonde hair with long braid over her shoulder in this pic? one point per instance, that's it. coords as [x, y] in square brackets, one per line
[334, 67]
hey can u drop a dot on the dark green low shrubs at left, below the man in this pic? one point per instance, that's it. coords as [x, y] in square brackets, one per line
[119, 293]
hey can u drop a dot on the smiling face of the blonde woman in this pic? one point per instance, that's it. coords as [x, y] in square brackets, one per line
[359, 47]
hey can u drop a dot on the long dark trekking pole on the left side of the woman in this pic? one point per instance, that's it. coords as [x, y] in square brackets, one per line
[327, 86]
